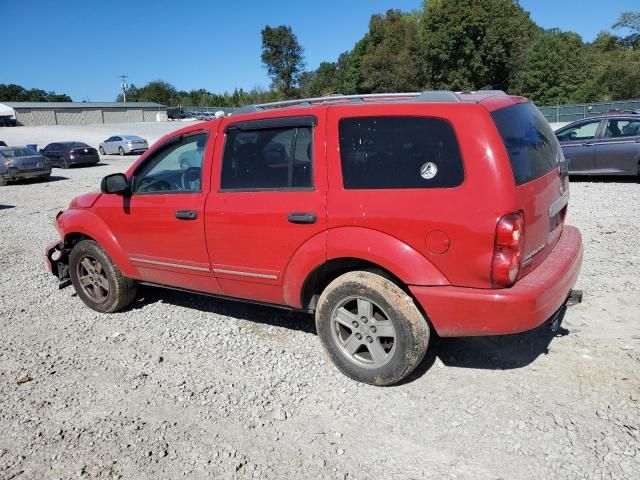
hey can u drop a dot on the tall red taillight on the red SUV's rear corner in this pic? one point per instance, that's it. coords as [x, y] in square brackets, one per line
[507, 252]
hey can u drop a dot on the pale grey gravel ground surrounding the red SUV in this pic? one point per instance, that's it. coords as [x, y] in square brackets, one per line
[188, 386]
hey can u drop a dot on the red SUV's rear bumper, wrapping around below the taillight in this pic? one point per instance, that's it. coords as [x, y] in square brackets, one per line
[458, 311]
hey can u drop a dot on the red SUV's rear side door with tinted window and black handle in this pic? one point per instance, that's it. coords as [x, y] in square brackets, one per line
[268, 200]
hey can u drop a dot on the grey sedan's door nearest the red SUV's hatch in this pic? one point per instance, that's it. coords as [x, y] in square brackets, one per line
[577, 141]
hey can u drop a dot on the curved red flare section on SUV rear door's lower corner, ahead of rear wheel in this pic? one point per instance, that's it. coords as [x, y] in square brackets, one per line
[305, 260]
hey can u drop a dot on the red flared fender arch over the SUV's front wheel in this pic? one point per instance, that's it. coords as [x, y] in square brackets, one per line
[88, 223]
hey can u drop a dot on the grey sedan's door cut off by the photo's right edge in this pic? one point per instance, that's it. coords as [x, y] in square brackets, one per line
[618, 151]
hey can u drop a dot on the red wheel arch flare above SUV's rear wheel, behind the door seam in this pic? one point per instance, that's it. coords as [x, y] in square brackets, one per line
[406, 263]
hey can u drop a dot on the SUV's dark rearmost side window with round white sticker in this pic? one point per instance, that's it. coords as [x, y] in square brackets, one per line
[399, 152]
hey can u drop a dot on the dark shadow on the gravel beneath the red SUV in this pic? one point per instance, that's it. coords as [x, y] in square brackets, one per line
[500, 352]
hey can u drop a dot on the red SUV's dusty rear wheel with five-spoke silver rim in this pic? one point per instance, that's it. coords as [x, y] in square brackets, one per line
[401, 332]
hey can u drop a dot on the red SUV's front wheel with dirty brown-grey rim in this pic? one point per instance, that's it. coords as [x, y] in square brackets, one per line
[102, 288]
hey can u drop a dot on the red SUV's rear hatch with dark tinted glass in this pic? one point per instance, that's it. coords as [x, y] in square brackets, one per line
[540, 173]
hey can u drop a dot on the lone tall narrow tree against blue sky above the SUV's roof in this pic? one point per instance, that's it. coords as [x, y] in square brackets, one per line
[282, 55]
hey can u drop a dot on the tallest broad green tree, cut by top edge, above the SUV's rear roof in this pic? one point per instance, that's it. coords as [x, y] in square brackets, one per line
[473, 44]
